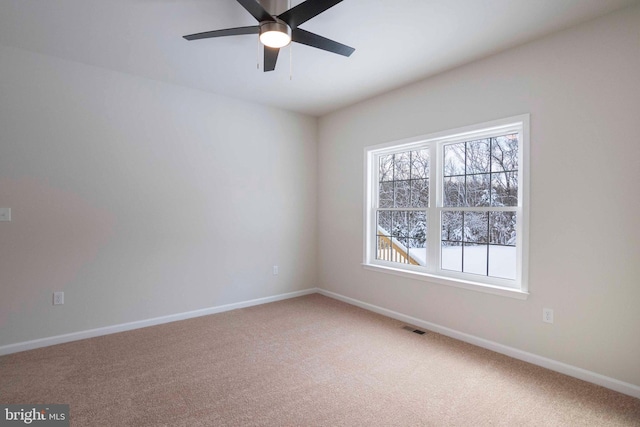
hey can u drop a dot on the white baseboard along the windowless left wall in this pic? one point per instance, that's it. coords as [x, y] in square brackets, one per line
[74, 336]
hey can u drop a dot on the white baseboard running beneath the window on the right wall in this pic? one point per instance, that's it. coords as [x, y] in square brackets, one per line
[563, 368]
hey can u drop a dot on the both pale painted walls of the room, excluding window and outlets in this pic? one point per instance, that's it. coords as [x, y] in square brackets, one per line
[140, 199]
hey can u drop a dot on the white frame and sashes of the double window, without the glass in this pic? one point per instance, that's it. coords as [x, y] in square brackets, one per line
[517, 288]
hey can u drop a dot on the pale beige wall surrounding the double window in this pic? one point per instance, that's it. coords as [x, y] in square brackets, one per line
[582, 89]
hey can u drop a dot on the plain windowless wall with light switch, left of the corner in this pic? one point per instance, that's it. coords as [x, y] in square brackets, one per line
[139, 199]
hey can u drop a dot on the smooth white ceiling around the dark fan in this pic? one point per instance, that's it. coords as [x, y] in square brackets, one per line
[396, 42]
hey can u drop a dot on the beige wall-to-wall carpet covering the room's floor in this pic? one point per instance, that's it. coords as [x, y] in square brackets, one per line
[308, 361]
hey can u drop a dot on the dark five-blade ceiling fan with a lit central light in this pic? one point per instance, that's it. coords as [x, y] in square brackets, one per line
[278, 27]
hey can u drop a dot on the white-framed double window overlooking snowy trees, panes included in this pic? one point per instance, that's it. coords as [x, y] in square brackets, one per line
[452, 207]
